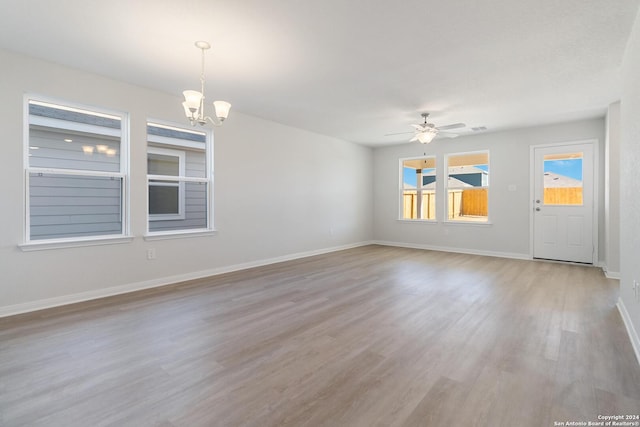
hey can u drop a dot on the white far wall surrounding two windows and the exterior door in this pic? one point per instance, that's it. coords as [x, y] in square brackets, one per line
[509, 211]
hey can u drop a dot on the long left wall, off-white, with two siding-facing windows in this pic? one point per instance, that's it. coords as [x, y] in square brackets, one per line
[279, 192]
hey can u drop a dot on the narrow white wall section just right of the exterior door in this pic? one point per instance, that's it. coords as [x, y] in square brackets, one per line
[612, 192]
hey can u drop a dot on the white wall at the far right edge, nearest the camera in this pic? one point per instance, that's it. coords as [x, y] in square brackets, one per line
[630, 185]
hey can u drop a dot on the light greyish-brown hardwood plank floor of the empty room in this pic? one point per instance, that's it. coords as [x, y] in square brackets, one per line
[372, 336]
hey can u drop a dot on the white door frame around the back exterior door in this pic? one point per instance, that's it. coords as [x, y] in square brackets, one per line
[596, 191]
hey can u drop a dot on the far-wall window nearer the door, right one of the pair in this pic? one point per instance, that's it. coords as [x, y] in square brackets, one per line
[468, 187]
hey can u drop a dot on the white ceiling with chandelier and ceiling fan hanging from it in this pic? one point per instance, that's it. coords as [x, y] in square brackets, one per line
[352, 69]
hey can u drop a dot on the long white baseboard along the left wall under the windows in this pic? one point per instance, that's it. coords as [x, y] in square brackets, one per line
[163, 281]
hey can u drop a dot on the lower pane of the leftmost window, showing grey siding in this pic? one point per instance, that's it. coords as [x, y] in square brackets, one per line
[63, 206]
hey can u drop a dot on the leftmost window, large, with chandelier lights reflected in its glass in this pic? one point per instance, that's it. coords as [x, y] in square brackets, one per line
[75, 172]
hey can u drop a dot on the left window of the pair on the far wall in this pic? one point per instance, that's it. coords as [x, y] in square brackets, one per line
[418, 188]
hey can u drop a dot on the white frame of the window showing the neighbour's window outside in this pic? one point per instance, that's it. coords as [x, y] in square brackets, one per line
[176, 144]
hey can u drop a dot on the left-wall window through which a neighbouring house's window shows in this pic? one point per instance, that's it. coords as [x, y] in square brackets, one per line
[178, 177]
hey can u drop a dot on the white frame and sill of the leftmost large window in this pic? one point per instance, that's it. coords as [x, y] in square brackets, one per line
[122, 174]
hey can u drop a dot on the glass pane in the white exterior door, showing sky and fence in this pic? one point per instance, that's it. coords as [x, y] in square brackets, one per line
[563, 179]
